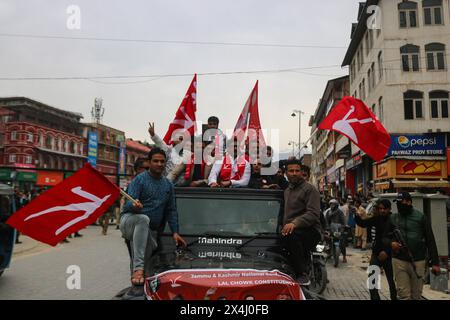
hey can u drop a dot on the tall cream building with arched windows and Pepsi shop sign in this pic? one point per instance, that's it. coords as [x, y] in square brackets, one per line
[399, 67]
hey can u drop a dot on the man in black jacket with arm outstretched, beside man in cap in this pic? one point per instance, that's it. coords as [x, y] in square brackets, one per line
[381, 254]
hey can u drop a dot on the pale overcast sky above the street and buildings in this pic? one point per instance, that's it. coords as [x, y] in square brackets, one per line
[129, 106]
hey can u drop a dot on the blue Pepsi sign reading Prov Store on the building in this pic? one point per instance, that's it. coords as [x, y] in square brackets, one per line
[418, 145]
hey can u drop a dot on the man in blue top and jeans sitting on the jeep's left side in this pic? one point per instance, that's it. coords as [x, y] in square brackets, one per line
[155, 205]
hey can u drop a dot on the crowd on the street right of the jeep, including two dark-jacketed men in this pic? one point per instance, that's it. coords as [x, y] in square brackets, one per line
[403, 244]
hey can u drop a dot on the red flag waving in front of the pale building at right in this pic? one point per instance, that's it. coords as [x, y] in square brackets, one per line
[355, 120]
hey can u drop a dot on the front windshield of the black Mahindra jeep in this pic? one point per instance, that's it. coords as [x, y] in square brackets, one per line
[244, 216]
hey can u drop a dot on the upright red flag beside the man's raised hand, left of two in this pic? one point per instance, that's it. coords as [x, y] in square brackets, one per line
[185, 116]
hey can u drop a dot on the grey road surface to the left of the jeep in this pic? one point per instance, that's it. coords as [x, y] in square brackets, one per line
[103, 261]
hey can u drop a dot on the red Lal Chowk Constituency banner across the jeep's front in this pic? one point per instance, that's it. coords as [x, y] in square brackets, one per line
[215, 284]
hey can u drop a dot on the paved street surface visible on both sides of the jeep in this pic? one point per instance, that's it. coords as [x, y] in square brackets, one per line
[39, 271]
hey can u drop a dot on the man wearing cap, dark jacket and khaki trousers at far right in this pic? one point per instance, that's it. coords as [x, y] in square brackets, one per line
[410, 260]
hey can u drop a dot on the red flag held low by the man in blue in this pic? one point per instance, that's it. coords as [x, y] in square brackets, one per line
[70, 206]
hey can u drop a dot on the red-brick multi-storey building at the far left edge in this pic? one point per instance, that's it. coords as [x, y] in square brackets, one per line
[39, 144]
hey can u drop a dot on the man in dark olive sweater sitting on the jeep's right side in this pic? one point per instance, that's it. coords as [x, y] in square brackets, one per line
[301, 222]
